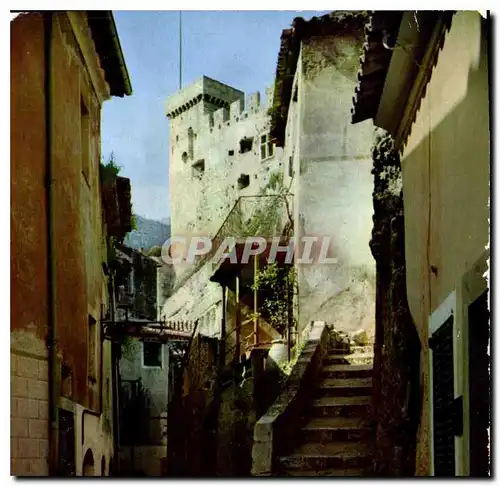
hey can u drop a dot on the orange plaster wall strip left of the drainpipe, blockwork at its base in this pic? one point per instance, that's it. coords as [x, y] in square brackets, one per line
[28, 256]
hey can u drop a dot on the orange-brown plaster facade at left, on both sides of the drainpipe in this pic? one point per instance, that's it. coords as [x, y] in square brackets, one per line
[78, 237]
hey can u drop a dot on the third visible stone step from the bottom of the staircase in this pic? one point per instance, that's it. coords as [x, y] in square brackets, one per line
[327, 429]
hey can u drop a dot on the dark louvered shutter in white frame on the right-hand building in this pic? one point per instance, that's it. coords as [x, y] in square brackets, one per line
[441, 344]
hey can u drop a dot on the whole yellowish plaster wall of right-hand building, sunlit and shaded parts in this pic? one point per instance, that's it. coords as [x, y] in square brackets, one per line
[446, 172]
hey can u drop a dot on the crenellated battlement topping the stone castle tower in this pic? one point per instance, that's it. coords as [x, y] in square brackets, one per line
[220, 105]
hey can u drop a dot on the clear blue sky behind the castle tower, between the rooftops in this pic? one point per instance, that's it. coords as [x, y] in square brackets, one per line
[236, 48]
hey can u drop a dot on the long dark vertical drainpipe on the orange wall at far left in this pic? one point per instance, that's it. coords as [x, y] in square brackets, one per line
[52, 337]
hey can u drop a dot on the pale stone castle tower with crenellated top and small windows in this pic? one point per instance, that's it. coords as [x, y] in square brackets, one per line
[219, 150]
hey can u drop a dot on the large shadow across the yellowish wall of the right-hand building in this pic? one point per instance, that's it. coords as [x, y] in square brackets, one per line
[457, 180]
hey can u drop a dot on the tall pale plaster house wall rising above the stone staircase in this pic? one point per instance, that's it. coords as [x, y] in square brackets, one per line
[333, 185]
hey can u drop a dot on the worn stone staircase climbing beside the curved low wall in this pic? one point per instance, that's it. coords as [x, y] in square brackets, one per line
[335, 437]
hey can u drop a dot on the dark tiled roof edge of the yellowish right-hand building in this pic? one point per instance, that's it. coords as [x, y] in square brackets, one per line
[381, 32]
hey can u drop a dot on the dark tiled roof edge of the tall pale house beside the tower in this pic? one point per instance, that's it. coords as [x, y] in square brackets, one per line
[326, 25]
